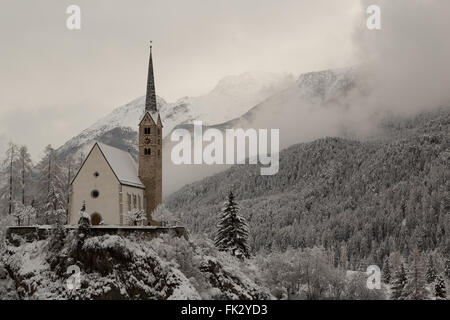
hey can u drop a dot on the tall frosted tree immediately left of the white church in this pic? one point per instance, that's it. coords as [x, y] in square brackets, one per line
[51, 188]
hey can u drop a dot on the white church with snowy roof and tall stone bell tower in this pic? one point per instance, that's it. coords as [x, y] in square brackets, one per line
[110, 181]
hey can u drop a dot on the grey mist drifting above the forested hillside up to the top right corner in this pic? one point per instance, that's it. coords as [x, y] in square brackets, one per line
[403, 69]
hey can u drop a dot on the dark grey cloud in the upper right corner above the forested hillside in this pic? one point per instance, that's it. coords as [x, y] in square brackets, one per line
[407, 63]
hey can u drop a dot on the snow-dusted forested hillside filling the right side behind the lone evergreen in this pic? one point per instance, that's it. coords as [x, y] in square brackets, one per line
[362, 200]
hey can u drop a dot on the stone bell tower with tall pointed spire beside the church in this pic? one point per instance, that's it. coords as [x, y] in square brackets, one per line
[150, 147]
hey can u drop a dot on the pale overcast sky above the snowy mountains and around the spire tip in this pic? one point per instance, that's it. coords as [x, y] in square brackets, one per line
[55, 82]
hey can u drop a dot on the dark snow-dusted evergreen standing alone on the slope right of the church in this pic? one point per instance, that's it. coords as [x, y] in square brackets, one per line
[232, 231]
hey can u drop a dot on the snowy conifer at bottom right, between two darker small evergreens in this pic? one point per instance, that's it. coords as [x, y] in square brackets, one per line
[415, 287]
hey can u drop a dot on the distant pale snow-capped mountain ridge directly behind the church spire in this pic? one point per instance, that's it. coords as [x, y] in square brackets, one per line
[232, 97]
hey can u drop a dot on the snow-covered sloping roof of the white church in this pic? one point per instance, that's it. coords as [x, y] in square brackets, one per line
[123, 165]
